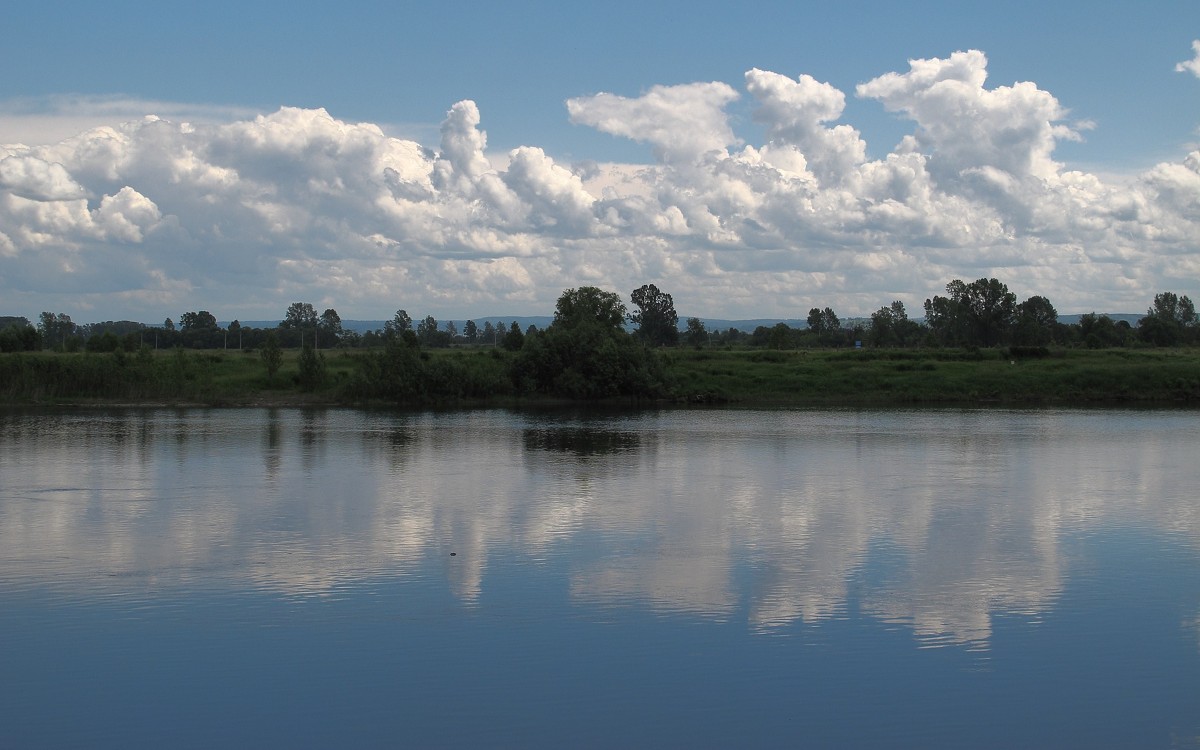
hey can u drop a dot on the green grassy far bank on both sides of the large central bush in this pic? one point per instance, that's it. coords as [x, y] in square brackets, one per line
[752, 377]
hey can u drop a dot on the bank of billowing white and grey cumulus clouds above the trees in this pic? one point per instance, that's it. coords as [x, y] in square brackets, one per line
[159, 217]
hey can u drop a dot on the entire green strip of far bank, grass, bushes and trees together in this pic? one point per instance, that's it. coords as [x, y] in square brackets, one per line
[975, 346]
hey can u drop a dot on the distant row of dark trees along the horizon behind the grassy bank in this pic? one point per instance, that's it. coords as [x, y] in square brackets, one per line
[980, 314]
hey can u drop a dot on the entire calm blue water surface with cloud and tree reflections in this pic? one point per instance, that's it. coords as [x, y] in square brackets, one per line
[937, 579]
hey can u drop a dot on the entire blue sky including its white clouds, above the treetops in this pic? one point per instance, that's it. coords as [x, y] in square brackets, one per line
[465, 160]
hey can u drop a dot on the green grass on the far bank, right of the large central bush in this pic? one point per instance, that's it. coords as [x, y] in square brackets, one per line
[937, 376]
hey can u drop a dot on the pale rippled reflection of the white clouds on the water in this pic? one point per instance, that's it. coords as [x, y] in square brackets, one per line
[934, 520]
